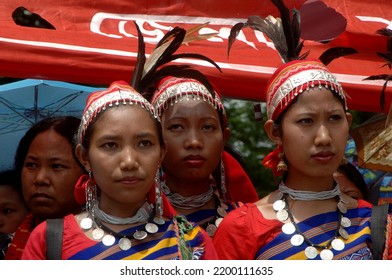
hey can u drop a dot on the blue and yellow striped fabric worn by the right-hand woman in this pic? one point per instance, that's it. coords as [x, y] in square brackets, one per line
[319, 230]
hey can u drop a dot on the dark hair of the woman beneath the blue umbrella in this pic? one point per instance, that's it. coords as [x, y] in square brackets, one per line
[66, 126]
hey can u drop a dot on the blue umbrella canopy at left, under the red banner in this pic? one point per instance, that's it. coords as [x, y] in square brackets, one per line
[26, 102]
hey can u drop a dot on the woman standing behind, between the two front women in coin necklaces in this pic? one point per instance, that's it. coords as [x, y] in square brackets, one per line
[200, 179]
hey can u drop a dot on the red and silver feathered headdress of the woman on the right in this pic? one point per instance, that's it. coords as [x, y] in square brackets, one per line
[298, 73]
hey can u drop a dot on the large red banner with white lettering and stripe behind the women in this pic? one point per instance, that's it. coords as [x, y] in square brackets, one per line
[95, 43]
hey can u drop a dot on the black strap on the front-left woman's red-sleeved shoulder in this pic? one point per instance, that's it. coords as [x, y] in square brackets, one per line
[54, 238]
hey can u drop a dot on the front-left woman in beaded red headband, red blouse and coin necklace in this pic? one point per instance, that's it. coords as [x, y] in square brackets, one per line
[121, 146]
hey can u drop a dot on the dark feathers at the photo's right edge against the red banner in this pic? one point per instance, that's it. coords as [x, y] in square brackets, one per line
[387, 57]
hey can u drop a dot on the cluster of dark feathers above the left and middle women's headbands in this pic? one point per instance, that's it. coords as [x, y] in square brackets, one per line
[149, 71]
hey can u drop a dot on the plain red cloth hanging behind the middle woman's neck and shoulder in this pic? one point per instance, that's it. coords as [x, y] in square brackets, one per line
[239, 187]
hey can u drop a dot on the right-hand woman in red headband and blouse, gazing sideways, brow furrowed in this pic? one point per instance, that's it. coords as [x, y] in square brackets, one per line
[308, 217]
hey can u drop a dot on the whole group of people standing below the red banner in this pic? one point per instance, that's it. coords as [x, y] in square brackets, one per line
[148, 175]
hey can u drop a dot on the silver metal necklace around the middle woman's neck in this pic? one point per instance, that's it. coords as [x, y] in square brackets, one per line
[189, 202]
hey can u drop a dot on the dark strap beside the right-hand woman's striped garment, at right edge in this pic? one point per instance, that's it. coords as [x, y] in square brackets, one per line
[378, 226]
